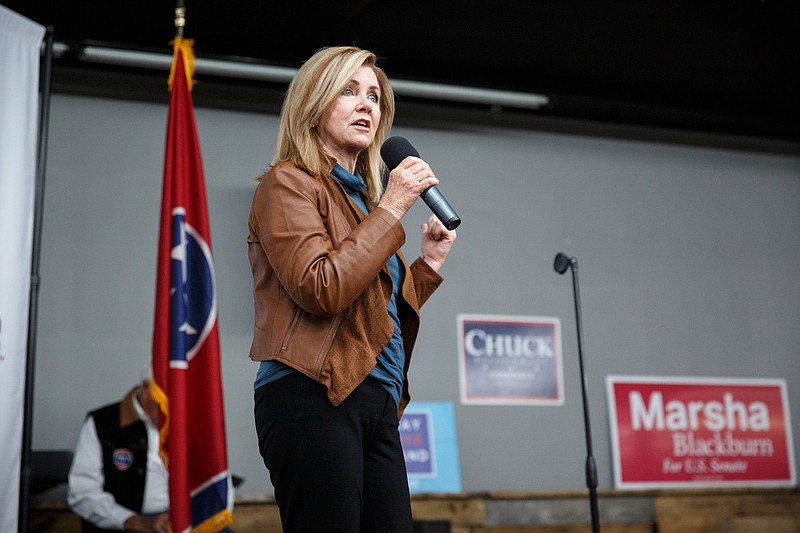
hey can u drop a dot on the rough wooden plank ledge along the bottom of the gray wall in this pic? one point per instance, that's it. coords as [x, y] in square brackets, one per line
[711, 511]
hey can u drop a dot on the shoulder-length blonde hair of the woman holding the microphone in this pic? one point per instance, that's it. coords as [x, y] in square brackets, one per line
[313, 90]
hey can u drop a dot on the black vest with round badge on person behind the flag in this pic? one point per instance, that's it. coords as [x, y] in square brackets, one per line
[124, 452]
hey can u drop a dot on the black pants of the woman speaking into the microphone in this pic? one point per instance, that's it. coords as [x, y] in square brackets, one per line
[334, 469]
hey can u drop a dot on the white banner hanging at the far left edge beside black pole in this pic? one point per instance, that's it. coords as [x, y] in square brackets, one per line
[20, 44]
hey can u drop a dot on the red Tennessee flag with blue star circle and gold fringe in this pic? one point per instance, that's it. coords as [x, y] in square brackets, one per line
[187, 380]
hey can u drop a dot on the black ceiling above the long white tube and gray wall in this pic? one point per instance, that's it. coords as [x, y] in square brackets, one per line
[730, 66]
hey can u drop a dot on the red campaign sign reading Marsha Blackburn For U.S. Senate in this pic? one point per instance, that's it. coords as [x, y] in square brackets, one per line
[700, 432]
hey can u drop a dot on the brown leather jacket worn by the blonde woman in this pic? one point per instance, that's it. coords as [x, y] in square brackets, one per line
[321, 283]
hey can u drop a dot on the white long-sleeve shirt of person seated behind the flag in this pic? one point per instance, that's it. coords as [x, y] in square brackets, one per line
[86, 495]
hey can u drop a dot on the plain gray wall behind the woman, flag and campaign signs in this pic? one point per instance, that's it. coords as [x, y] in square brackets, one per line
[688, 267]
